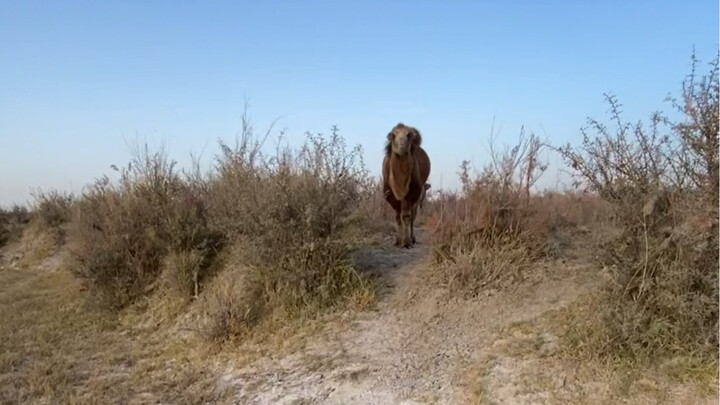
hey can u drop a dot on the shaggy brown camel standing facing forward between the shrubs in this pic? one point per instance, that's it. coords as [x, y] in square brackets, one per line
[406, 168]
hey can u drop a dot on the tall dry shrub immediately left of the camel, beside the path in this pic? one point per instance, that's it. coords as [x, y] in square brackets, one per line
[293, 218]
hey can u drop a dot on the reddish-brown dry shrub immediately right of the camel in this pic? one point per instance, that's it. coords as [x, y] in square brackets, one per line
[497, 231]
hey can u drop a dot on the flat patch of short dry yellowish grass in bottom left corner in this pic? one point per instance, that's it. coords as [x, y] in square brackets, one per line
[55, 349]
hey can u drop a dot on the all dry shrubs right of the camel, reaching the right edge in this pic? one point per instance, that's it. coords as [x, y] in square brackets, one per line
[647, 210]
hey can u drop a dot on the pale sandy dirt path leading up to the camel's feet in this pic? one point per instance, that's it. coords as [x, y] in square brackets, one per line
[418, 346]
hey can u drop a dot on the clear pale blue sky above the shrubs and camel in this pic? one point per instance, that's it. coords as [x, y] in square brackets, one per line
[77, 78]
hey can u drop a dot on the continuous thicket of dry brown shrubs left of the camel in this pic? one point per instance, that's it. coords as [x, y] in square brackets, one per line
[291, 218]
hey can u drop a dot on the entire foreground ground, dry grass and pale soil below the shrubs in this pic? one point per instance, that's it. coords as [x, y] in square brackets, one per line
[418, 345]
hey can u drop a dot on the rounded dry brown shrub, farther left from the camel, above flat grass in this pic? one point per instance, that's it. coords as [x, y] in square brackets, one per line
[122, 232]
